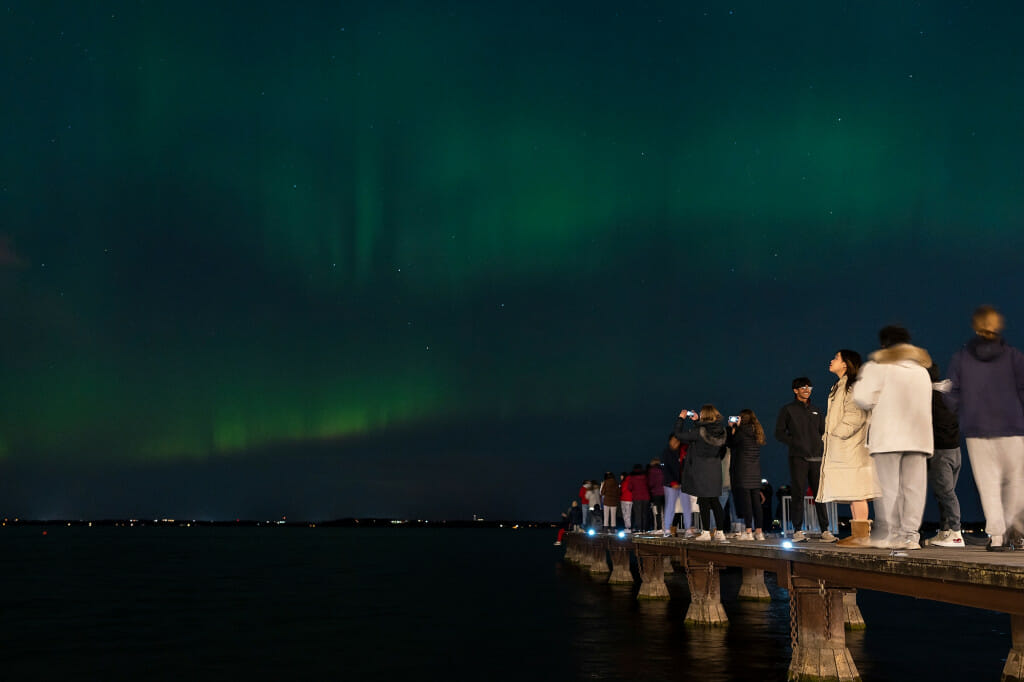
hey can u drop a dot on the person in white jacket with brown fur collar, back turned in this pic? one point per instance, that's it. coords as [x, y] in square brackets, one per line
[894, 386]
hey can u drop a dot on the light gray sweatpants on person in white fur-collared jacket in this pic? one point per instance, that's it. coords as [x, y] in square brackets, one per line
[905, 487]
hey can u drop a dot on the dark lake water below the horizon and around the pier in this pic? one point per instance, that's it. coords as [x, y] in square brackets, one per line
[150, 604]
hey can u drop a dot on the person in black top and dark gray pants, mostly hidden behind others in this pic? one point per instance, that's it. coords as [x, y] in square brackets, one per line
[944, 468]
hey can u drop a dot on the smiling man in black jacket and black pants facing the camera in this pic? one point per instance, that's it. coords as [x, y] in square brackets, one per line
[800, 427]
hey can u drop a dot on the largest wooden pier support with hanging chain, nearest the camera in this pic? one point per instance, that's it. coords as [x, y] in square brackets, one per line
[820, 652]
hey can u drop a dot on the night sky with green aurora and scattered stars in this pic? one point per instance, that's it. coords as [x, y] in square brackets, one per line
[432, 260]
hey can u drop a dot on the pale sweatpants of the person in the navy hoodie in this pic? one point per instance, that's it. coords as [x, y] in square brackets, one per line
[999, 473]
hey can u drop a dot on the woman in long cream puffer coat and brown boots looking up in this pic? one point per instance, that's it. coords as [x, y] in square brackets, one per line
[848, 474]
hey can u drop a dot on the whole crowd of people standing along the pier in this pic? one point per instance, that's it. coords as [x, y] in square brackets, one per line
[890, 431]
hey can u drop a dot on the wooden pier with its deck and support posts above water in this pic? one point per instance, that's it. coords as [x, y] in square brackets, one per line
[822, 580]
